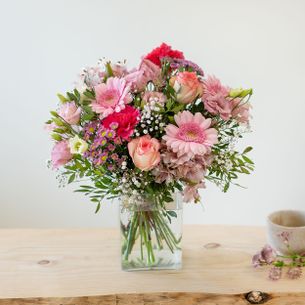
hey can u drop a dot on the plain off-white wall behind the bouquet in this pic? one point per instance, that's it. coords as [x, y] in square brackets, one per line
[259, 44]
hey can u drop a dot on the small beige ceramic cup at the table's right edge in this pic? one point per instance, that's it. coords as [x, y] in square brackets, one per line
[287, 224]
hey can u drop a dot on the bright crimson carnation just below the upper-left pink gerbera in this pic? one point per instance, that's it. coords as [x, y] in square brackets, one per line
[126, 119]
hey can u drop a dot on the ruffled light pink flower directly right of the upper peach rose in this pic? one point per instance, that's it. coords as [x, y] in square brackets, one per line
[215, 98]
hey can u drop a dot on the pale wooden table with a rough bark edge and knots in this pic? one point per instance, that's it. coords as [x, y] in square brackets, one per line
[82, 267]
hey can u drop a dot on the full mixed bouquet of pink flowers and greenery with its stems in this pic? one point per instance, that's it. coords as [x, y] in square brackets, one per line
[147, 133]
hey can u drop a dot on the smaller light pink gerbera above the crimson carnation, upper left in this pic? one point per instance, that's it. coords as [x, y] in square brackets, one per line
[111, 96]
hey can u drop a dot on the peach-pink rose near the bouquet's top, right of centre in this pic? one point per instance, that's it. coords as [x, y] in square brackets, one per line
[187, 86]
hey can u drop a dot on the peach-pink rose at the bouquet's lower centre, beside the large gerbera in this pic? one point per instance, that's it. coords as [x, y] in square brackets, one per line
[144, 152]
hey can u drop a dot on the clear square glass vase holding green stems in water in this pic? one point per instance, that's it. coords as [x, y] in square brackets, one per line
[151, 234]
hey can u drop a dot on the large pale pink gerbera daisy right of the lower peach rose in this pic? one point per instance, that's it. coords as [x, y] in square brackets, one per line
[192, 136]
